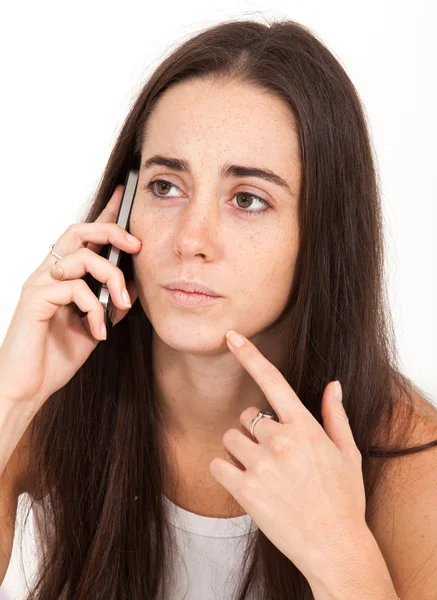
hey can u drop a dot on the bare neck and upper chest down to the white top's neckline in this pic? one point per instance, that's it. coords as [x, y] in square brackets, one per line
[202, 393]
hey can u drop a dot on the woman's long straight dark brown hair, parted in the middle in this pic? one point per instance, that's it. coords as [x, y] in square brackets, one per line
[96, 444]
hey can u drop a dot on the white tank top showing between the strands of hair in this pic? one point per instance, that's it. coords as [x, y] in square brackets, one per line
[208, 564]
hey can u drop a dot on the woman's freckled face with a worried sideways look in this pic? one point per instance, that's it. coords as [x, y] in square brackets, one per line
[211, 227]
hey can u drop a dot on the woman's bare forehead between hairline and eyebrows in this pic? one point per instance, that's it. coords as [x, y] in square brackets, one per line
[211, 116]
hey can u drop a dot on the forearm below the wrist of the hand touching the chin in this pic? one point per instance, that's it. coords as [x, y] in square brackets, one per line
[362, 574]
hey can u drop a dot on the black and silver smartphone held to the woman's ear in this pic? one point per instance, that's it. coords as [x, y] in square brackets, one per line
[114, 254]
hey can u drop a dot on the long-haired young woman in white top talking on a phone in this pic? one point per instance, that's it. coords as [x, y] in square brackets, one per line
[151, 469]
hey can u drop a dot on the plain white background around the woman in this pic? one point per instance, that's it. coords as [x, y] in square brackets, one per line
[71, 71]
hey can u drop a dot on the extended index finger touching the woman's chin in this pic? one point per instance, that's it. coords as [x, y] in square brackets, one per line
[276, 388]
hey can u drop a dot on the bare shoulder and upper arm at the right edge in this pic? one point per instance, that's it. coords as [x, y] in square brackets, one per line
[404, 522]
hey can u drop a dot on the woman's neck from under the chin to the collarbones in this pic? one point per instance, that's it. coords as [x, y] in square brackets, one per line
[202, 392]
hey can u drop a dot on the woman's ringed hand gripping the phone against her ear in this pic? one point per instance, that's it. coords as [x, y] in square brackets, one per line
[47, 341]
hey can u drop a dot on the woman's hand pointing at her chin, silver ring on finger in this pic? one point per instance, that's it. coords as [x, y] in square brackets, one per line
[302, 484]
